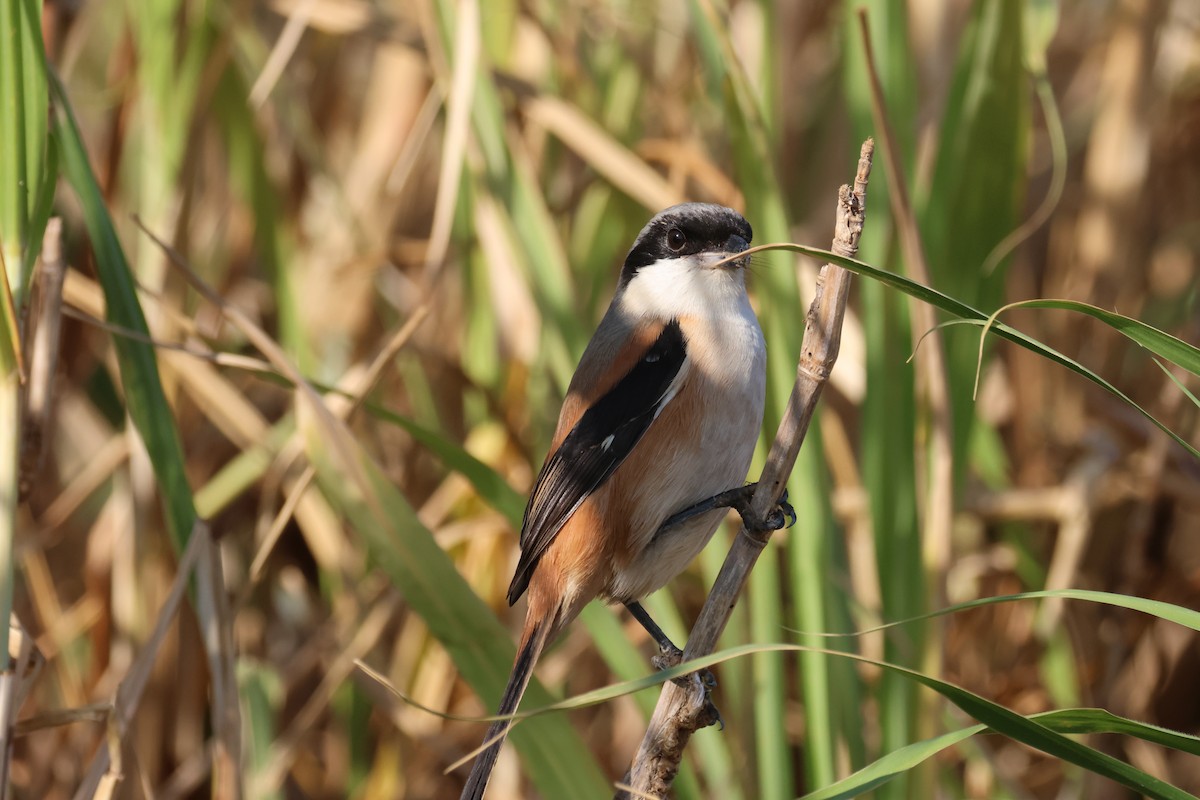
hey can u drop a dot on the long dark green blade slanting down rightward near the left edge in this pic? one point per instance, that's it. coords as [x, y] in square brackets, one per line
[145, 396]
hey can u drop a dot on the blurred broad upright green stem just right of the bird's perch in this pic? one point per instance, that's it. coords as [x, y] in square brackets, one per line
[889, 411]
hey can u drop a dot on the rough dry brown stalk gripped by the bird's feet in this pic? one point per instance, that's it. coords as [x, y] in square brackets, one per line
[685, 709]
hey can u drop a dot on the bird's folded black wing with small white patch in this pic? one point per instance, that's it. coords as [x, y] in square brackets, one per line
[602, 440]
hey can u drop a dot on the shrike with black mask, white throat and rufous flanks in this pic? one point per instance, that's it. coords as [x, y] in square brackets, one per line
[662, 416]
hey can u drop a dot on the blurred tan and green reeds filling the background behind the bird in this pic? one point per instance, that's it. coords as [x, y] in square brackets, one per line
[339, 170]
